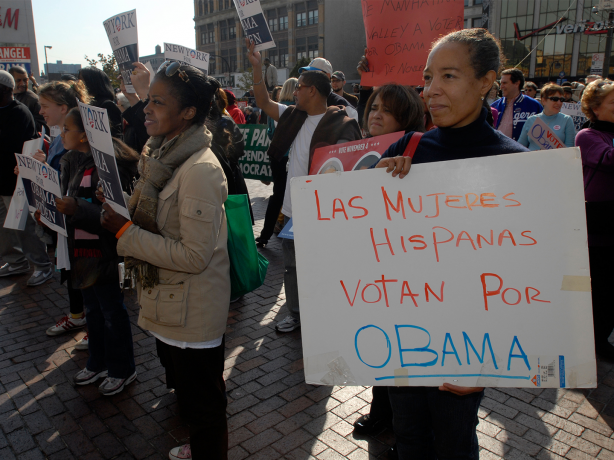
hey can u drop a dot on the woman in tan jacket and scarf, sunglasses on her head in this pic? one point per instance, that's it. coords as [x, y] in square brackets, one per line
[175, 245]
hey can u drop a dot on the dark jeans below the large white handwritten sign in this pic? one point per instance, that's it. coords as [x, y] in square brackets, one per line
[435, 425]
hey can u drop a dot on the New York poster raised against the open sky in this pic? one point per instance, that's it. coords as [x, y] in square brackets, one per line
[122, 33]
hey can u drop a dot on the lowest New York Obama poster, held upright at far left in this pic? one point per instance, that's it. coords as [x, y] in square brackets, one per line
[42, 185]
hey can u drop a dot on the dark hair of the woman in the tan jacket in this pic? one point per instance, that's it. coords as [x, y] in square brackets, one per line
[198, 92]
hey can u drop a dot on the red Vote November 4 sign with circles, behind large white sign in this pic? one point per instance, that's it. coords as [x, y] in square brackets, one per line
[352, 156]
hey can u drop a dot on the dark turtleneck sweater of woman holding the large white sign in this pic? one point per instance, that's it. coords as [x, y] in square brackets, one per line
[477, 139]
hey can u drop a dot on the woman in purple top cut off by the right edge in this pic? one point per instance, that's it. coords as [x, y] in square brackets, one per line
[597, 145]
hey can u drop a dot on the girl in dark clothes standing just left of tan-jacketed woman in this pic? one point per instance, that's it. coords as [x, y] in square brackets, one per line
[94, 260]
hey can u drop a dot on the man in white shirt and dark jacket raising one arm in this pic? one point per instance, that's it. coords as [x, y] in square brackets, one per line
[300, 129]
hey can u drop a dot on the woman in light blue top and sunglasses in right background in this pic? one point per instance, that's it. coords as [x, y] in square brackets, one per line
[561, 125]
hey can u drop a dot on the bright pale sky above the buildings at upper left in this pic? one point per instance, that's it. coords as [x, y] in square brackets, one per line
[74, 27]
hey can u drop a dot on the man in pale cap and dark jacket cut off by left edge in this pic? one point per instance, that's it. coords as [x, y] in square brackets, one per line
[17, 247]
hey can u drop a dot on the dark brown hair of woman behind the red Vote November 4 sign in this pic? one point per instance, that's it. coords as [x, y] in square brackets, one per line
[403, 103]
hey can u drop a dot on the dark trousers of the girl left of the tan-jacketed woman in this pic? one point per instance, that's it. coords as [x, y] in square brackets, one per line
[109, 330]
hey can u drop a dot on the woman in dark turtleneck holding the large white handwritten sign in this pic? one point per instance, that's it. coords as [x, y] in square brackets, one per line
[461, 68]
